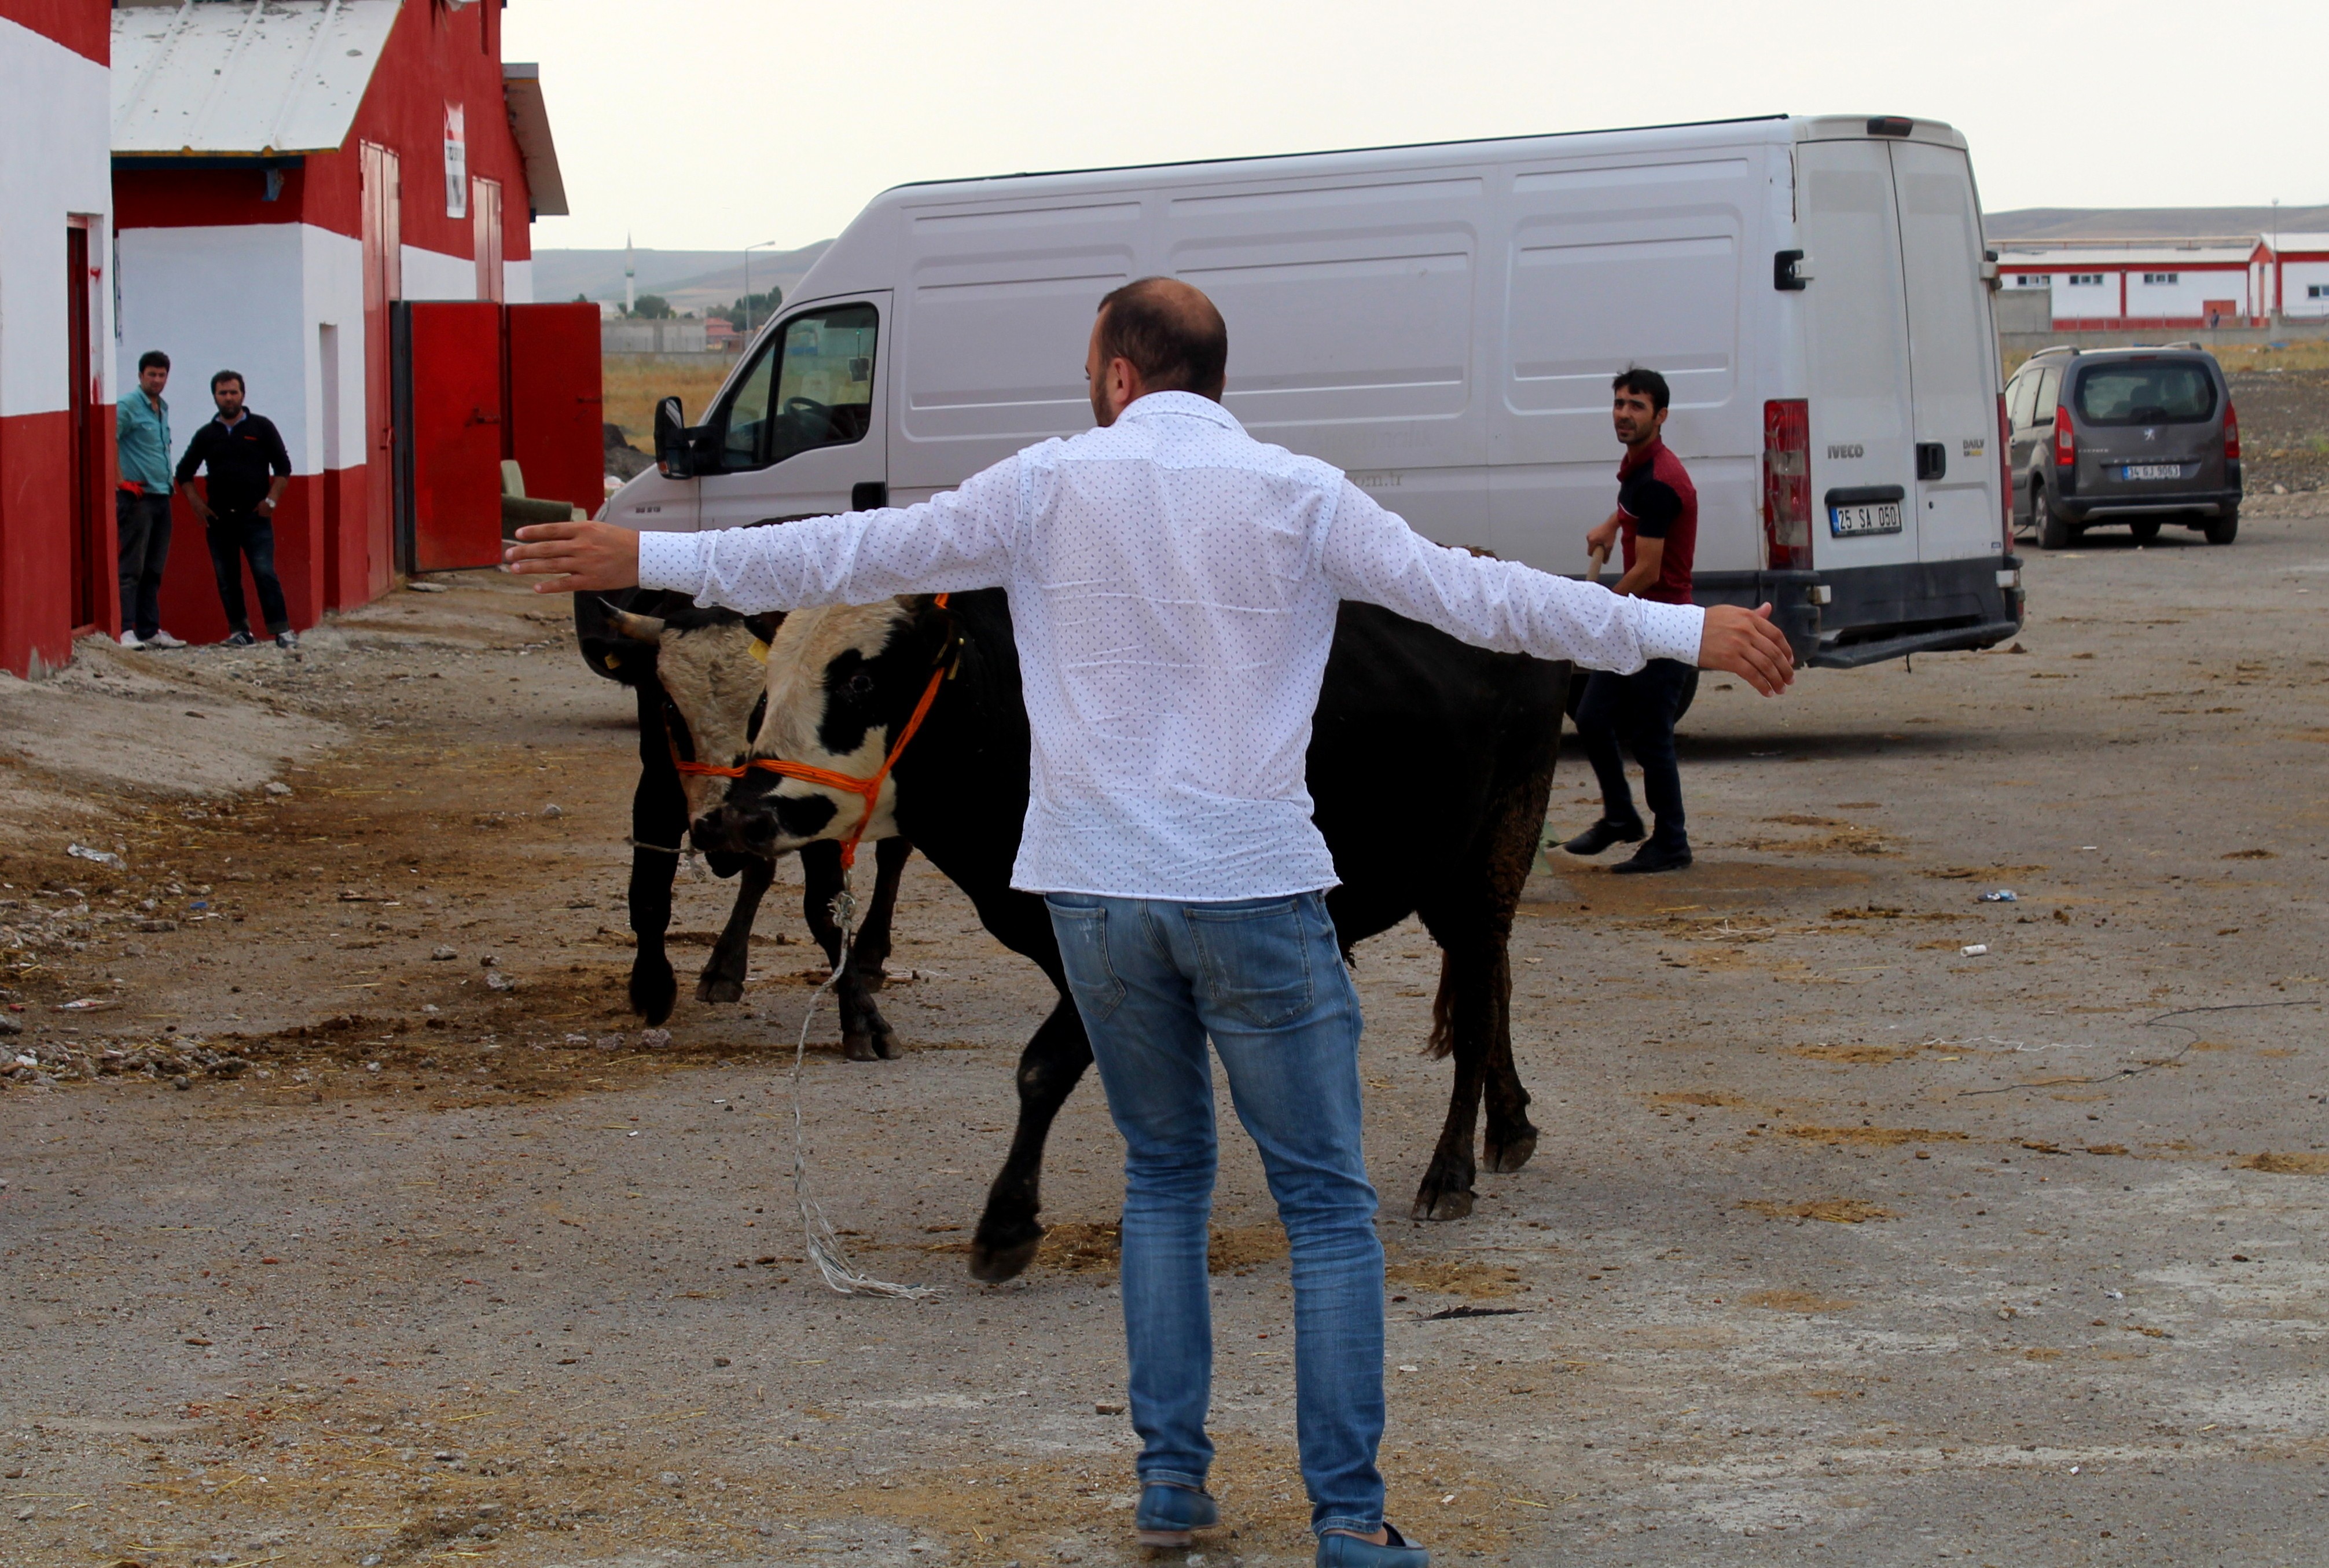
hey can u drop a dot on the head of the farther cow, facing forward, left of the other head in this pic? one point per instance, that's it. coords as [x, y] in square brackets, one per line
[712, 668]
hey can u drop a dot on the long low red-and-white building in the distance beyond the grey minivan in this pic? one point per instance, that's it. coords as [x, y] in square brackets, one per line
[2111, 285]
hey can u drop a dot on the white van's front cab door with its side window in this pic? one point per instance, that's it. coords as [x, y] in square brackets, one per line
[802, 432]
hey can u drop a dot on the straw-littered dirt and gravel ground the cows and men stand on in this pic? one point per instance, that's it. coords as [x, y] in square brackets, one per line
[1843, 1243]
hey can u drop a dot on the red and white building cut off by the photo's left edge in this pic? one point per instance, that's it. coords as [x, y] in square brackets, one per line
[57, 383]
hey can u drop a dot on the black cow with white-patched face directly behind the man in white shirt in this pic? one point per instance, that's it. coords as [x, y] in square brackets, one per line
[1429, 763]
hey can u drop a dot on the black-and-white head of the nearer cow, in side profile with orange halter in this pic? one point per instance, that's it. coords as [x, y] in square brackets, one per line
[842, 684]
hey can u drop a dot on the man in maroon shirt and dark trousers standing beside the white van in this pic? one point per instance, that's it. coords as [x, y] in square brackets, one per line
[1657, 521]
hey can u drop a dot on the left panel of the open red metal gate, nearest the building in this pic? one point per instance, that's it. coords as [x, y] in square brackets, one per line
[448, 425]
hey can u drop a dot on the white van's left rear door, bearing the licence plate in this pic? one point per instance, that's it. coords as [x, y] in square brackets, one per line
[1857, 332]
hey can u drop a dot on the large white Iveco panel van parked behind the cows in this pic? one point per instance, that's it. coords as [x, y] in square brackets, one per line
[1443, 325]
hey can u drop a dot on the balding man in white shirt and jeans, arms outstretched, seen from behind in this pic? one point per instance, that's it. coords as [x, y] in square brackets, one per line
[1173, 595]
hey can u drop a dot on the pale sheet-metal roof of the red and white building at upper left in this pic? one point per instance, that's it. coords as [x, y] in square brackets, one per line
[243, 80]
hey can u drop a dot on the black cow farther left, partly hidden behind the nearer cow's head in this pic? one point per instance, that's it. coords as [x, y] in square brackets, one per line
[700, 688]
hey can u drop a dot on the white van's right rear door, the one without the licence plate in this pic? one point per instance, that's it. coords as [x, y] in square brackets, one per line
[1951, 355]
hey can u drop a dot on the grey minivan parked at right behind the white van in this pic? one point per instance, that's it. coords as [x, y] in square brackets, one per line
[2142, 437]
